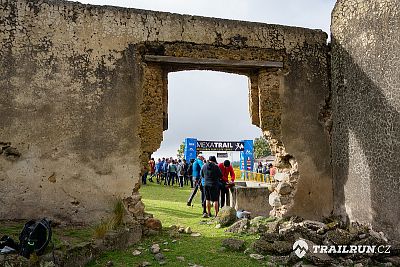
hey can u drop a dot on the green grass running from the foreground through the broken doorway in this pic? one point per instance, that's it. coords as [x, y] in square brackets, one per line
[169, 205]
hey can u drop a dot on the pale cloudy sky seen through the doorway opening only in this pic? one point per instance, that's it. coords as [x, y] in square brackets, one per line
[209, 106]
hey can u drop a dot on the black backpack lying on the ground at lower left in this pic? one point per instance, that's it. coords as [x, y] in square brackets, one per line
[35, 237]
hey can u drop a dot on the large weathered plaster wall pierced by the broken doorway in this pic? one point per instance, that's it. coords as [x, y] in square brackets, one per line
[77, 98]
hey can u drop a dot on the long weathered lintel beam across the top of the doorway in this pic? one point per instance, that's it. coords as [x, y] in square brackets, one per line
[214, 62]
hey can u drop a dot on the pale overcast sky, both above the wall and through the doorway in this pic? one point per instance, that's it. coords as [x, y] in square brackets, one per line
[214, 105]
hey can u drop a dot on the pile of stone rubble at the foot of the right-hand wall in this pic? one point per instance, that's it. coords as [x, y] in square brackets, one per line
[278, 236]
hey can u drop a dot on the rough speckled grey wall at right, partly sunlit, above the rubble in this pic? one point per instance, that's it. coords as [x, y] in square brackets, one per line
[366, 106]
